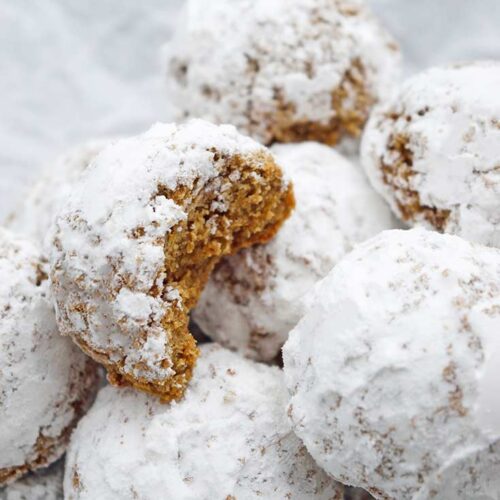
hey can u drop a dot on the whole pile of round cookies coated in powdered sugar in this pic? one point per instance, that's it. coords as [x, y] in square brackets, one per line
[278, 315]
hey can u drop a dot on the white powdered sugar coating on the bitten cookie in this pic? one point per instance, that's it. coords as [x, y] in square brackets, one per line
[107, 264]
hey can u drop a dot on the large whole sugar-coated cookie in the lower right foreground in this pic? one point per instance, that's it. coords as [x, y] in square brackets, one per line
[393, 371]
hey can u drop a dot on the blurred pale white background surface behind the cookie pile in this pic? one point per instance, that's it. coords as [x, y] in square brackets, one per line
[73, 70]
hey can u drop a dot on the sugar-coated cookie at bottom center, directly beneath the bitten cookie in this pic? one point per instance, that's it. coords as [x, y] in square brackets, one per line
[227, 438]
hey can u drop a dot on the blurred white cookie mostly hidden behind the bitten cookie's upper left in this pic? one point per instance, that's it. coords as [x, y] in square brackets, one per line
[37, 211]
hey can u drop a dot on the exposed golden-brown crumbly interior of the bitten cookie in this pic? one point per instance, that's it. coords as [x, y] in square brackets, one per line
[244, 204]
